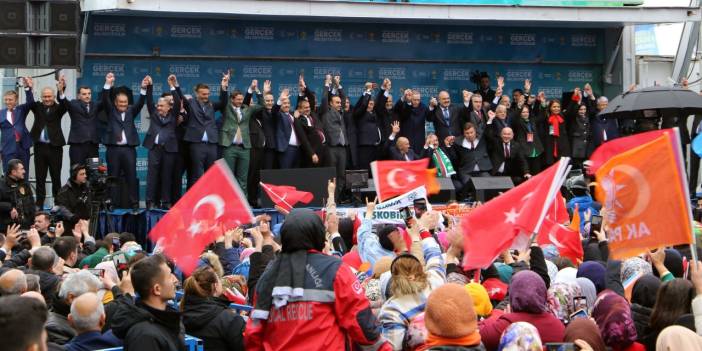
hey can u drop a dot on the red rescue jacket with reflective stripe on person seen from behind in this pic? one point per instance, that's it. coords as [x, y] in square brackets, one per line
[333, 310]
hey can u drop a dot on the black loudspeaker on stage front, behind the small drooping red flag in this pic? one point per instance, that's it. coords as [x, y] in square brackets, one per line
[313, 180]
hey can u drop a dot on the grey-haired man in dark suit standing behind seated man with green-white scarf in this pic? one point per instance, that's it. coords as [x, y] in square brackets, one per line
[446, 117]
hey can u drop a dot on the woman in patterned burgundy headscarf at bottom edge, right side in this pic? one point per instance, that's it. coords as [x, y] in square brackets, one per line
[613, 317]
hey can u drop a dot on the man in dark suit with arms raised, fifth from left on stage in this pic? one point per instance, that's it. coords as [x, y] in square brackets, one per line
[162, 144]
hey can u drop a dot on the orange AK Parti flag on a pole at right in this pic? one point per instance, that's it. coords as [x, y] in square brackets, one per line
[645, 198]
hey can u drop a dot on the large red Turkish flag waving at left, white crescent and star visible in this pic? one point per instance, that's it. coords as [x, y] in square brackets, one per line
[212, 205]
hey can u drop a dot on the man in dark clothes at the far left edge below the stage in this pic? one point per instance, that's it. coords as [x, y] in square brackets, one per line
[16, 197]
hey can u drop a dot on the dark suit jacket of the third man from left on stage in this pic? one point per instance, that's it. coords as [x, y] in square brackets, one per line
[84, 120]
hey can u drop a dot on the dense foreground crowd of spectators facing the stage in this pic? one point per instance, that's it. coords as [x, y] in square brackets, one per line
[331, 282]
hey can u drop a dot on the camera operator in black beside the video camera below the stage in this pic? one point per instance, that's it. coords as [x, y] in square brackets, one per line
[75, 194]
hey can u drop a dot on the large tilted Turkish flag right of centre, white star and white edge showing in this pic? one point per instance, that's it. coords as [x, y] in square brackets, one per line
[491, 228]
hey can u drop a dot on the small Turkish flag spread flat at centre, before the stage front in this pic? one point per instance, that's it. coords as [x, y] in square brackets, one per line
[393, 178]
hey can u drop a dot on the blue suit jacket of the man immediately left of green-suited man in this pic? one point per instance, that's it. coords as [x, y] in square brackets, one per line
[201, 118]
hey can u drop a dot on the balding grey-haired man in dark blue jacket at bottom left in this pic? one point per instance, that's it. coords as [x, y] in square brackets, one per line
[87, 317]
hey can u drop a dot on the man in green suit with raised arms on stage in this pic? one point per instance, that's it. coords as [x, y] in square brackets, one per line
[234, 135]
